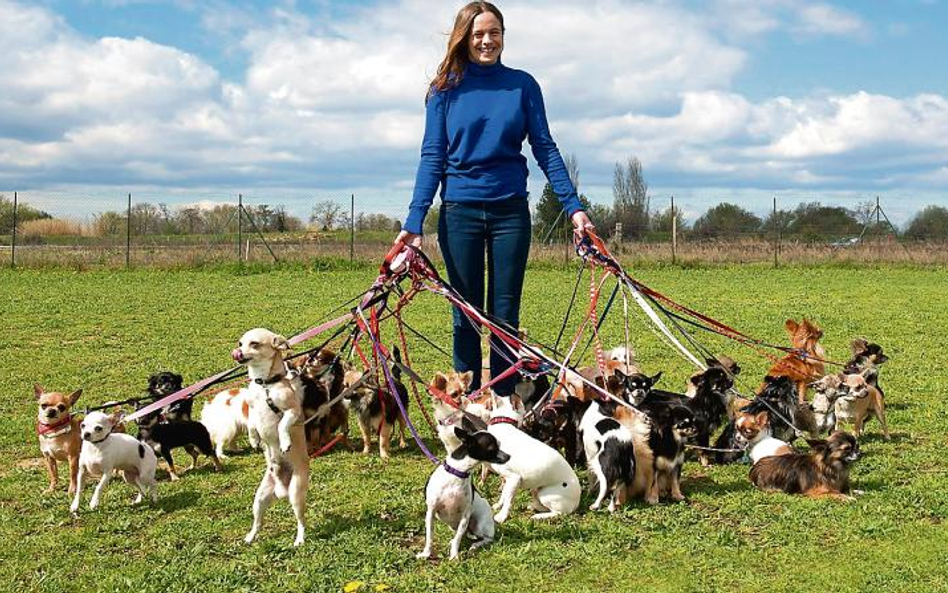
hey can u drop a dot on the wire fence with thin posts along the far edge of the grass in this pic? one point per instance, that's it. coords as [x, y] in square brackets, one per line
[143, 231]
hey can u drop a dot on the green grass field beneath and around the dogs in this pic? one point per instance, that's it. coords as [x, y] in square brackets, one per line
[107, 331]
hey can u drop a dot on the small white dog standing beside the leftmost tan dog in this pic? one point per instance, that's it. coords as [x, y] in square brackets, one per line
[104, 451]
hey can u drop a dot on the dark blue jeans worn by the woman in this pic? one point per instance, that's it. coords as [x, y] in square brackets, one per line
[465, 231]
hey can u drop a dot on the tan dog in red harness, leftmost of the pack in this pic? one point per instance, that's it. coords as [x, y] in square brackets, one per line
[58, 433]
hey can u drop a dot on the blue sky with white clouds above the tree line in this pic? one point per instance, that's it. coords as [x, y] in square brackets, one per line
[293, 102]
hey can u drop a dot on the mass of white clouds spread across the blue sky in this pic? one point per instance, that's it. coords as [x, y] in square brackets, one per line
[338, 103]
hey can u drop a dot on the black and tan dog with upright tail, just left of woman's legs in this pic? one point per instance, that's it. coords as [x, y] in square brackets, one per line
[375, 408]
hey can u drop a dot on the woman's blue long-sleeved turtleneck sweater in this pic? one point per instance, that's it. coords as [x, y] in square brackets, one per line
[474, 135]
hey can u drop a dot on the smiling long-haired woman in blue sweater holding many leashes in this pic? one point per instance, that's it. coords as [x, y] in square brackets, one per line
[478, 113]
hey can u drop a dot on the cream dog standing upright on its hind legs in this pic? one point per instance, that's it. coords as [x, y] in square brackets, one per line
[276, 414]
